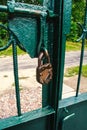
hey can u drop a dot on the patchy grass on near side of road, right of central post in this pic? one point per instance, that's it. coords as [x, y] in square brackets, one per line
[74, 71]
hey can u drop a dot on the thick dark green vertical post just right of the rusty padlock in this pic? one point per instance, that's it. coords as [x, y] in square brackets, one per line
[54, 38]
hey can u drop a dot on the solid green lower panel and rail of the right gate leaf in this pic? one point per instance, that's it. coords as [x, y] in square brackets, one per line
[72, 113]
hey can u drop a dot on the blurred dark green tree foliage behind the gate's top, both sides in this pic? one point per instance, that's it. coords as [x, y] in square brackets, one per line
[78, 11]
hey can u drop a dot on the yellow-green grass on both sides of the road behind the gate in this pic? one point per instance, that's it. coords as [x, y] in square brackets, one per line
[70, 46]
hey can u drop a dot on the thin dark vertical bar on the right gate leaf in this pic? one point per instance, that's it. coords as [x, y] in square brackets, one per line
[82, 50]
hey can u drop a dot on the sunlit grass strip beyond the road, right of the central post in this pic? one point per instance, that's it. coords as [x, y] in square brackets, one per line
[74, 46]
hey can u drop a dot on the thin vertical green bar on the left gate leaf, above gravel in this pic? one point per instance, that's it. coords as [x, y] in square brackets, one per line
[15, 63]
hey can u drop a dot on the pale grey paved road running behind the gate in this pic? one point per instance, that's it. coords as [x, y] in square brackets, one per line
[71, 59]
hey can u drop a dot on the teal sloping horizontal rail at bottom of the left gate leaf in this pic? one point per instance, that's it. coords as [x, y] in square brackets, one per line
[27, 117]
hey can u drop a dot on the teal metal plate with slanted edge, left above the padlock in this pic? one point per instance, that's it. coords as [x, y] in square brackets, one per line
[27, 32]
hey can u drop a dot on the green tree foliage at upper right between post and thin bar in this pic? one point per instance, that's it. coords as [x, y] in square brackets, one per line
[78, 12]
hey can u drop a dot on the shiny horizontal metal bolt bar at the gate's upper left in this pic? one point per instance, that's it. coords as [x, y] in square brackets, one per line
[25, 11]
